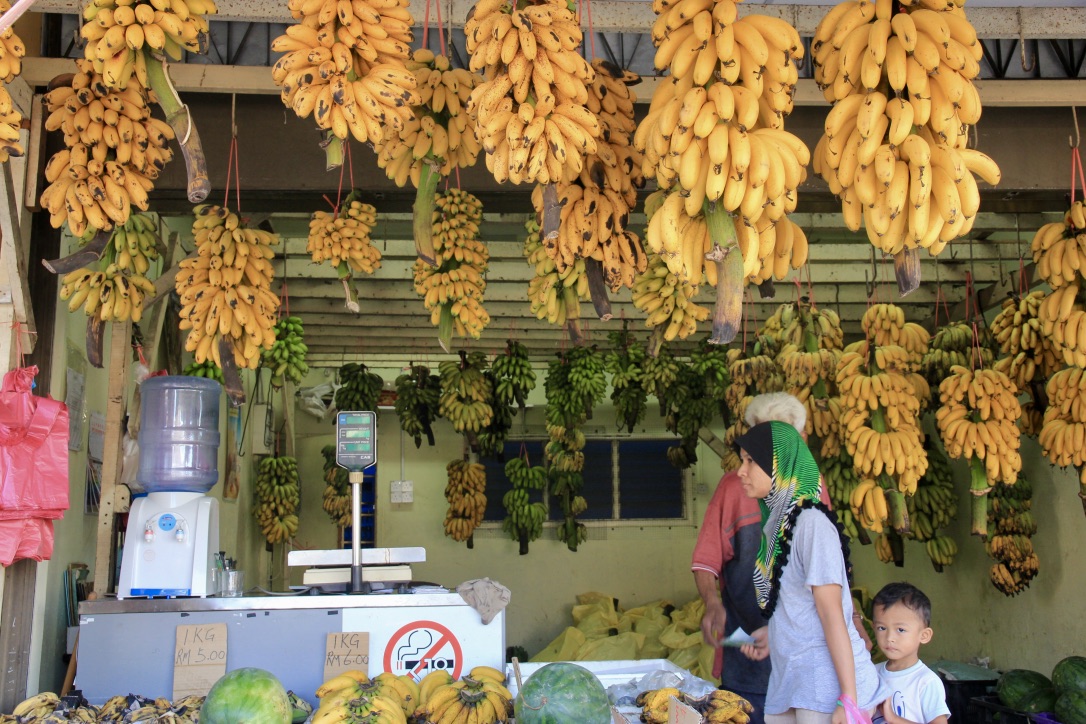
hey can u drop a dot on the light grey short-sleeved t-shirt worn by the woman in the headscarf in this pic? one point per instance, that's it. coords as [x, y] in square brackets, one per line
[803, 675]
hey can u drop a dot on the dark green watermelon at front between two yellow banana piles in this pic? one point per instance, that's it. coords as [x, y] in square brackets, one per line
[562, 693]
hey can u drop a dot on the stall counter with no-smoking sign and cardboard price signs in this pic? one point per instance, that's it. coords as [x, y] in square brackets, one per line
[158, 647]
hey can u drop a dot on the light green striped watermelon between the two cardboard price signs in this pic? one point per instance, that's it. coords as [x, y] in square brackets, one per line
[247, 696]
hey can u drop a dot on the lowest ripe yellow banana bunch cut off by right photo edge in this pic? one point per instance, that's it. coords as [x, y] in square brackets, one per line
[1064, 436]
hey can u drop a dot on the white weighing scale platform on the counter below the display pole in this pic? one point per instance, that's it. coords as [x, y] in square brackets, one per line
[331, 570]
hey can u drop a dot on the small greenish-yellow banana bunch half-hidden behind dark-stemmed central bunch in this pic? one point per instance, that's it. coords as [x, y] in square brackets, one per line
[554, 296]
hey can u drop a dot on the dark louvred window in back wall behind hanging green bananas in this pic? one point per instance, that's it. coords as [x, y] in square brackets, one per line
[628, 479]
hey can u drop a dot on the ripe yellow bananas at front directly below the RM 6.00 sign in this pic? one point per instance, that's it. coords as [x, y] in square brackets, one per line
[353, 697]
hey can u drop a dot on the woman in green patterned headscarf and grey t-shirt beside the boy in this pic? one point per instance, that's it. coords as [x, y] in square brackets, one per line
[802, 579]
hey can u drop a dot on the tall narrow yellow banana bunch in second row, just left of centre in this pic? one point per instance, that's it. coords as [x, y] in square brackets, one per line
[453, 288]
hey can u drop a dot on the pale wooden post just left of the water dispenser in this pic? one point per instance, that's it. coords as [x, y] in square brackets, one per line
[120, 357]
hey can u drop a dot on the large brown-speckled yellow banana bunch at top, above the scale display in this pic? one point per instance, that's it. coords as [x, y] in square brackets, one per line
[345, 63]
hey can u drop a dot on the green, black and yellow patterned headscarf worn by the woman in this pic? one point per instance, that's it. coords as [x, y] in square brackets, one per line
[795, 486]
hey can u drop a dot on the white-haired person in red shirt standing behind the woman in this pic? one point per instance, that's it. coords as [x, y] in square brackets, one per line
[725, 560]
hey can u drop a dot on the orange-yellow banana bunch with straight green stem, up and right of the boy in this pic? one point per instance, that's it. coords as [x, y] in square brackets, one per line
[979, 421]
